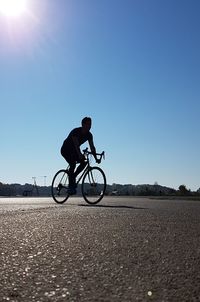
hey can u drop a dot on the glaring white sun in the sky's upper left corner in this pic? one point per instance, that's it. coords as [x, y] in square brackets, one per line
[13, 8]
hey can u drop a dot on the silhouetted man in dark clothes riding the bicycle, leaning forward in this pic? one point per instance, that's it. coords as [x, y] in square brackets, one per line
[71, 152]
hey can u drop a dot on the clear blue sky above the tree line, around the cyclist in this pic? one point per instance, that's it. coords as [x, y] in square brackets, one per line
[132, 65]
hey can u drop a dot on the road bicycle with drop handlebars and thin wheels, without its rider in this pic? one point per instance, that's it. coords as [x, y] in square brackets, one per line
[93, 185]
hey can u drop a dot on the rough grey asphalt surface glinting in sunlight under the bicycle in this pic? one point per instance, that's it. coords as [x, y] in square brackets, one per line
[124, 249]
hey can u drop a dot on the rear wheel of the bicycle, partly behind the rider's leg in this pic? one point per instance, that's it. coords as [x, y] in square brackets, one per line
[59, 187]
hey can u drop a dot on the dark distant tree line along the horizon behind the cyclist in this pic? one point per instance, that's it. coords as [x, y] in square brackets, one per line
[112, 190]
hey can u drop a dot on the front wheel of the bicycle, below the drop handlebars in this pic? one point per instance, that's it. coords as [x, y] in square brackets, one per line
[93, 185]
